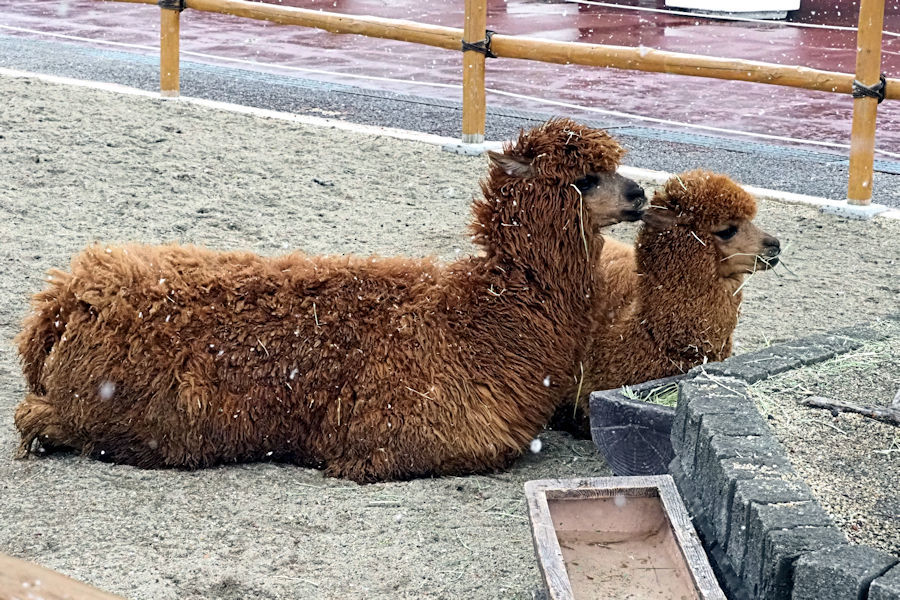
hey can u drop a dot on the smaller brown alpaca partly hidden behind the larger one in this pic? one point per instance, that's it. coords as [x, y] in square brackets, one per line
[671, 302]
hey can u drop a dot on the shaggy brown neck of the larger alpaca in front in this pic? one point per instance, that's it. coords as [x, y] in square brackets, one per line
[536, 286]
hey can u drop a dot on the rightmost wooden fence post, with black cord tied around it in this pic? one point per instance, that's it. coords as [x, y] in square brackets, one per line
[865, 110]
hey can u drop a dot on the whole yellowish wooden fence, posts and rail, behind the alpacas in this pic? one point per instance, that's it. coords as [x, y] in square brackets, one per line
[868, 64]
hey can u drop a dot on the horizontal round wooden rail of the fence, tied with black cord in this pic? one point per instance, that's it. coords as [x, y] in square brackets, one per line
[507, 46]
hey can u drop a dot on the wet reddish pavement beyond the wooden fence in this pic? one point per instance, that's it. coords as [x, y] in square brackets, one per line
[741, 106]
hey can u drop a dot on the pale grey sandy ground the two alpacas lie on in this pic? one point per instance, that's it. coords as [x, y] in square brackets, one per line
[78, 165]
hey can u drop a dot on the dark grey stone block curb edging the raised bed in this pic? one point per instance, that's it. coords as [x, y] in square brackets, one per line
[767, 536]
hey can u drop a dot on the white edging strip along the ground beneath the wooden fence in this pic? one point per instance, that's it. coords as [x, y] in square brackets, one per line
[644, 175]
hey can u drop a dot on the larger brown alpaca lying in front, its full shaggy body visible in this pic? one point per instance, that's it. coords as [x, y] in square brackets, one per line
[371, 368]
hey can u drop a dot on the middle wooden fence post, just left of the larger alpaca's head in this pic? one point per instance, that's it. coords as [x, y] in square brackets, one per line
[473, 73]
